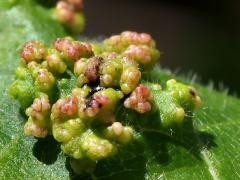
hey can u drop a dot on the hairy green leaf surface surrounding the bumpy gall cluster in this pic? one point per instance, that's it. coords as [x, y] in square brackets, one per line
[211, 152]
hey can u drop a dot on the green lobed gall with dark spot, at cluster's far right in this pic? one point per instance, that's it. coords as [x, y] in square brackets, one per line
[175, 101]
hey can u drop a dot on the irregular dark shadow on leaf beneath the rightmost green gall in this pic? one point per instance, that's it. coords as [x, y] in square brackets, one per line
[159, 139]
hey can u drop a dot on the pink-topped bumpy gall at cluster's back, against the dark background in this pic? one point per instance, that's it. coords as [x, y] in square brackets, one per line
[138, 47]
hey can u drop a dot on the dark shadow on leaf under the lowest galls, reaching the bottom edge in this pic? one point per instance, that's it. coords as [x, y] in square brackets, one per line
[128, 163]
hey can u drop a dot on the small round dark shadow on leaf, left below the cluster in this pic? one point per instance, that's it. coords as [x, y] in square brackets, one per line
[46, 150]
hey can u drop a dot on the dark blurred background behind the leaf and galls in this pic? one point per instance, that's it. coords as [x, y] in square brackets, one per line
[199, 36]
